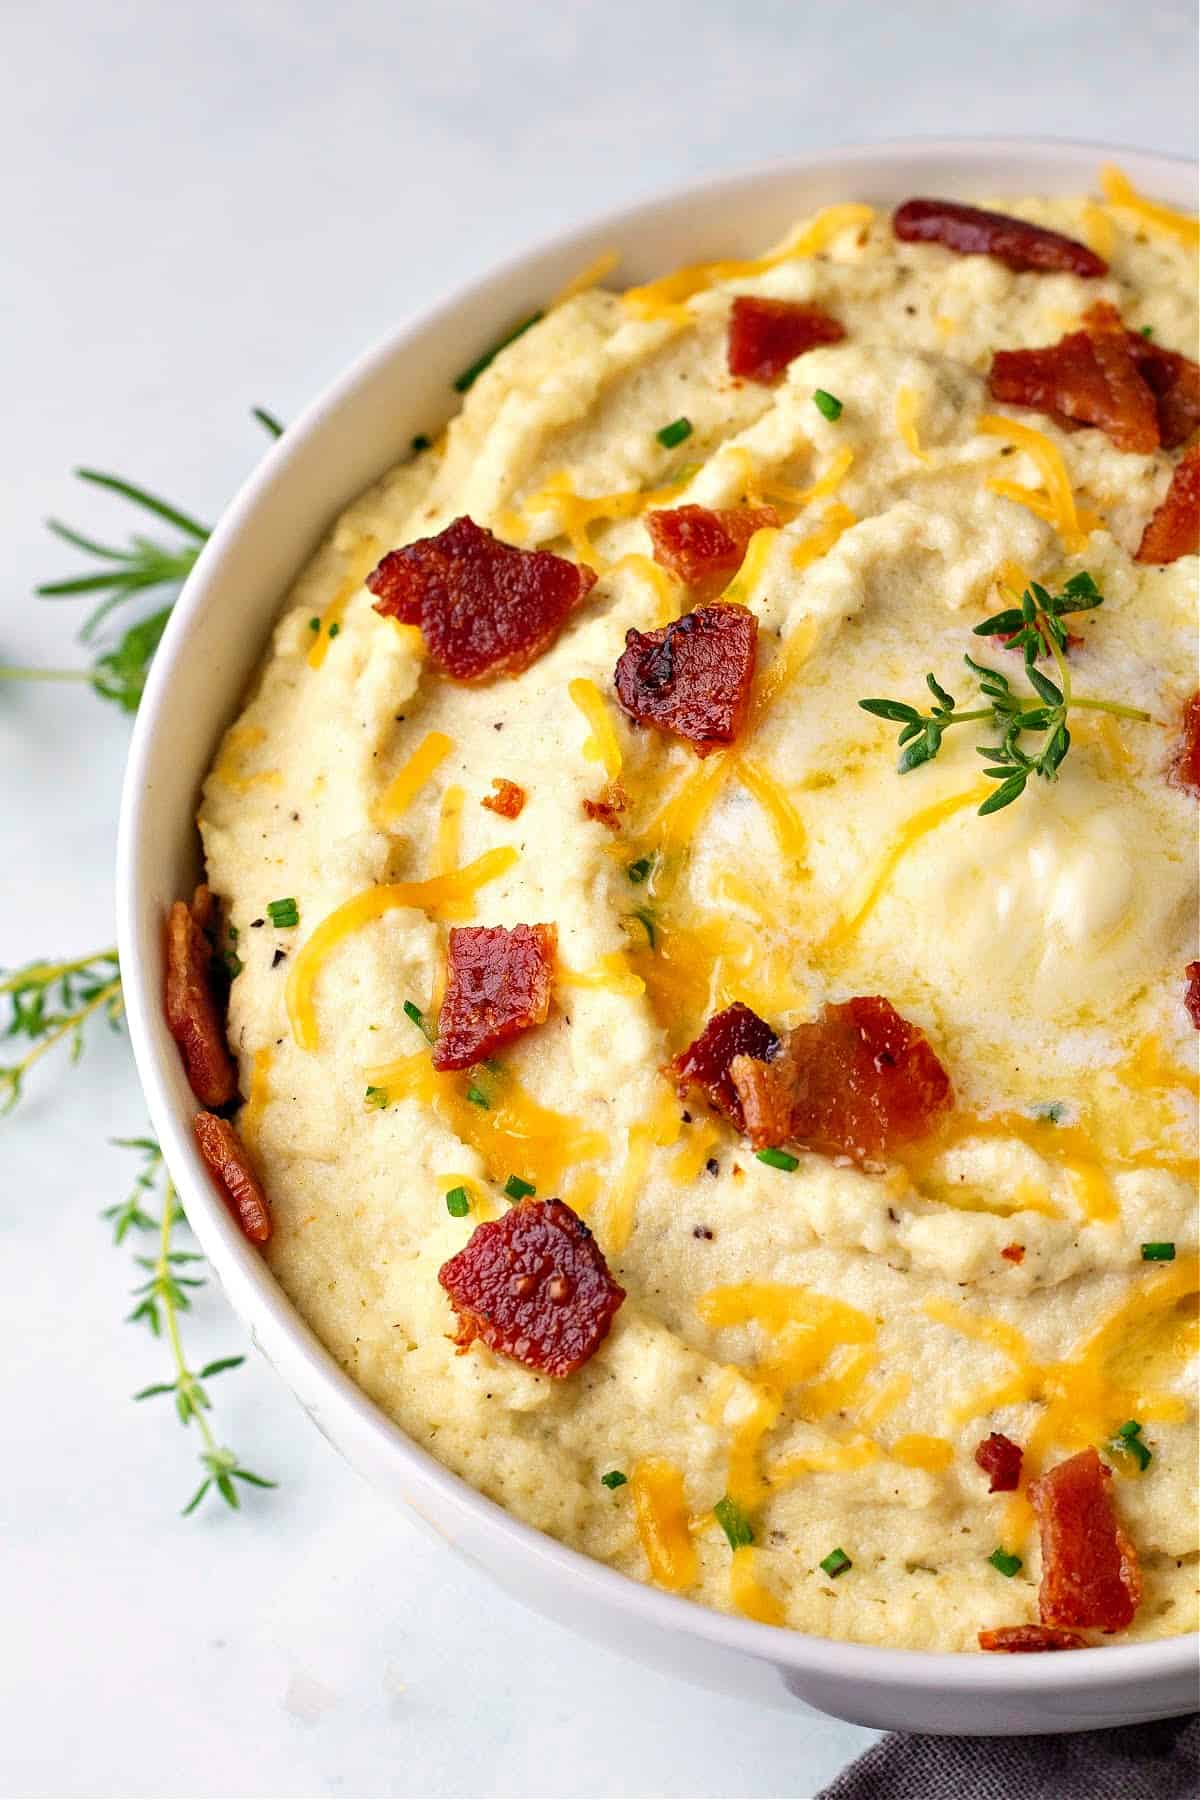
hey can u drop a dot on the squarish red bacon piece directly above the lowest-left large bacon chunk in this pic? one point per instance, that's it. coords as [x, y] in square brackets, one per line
[499, 985]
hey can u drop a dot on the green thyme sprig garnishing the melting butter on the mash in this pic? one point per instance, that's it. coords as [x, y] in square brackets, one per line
[1041, 717]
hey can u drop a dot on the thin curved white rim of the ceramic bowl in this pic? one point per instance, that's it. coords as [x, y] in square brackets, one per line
[274, 1324]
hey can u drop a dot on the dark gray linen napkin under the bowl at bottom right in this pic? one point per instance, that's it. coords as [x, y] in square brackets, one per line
[1136, 1763]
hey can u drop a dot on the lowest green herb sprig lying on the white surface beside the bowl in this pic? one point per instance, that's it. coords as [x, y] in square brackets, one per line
[161, 1299]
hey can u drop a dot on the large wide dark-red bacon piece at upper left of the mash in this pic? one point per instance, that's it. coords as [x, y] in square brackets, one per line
[485, 607]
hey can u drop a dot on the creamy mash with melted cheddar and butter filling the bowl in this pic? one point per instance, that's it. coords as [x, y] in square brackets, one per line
[825, 1345]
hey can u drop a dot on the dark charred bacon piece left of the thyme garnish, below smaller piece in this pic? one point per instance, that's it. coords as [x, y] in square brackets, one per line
[692, 678]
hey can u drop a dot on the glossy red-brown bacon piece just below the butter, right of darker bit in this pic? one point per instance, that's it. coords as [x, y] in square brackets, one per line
[859, 1081]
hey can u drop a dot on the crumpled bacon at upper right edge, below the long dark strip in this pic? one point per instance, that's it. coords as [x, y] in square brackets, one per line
[1140, 395]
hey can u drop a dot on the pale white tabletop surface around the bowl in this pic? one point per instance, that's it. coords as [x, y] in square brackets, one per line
[204, 210]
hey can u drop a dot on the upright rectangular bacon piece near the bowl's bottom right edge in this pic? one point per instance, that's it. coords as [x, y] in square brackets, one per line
[1089, 1567]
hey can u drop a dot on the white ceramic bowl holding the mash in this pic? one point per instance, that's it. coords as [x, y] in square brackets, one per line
[346, 440]
